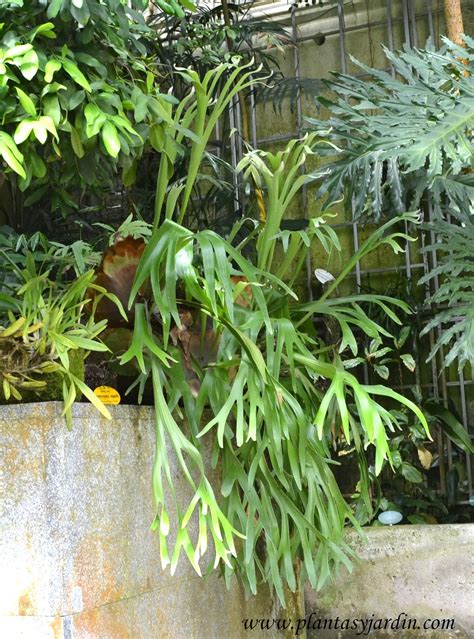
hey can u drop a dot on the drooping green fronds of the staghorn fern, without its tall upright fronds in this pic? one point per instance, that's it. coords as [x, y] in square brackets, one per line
[260, 398]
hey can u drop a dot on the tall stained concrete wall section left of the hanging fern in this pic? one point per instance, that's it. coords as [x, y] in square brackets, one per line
[77, 557]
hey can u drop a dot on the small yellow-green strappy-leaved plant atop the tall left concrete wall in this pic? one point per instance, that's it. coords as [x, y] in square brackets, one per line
[45, 329]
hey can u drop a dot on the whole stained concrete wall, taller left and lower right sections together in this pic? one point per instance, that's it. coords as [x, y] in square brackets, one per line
[78, 560]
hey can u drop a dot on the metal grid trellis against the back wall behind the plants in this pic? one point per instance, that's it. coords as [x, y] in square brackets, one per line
[397, 12]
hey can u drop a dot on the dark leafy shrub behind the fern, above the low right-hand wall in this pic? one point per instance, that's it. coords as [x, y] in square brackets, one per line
[412, 483]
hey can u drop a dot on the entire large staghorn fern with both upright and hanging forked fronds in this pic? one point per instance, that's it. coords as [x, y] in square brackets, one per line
[232, 352]
